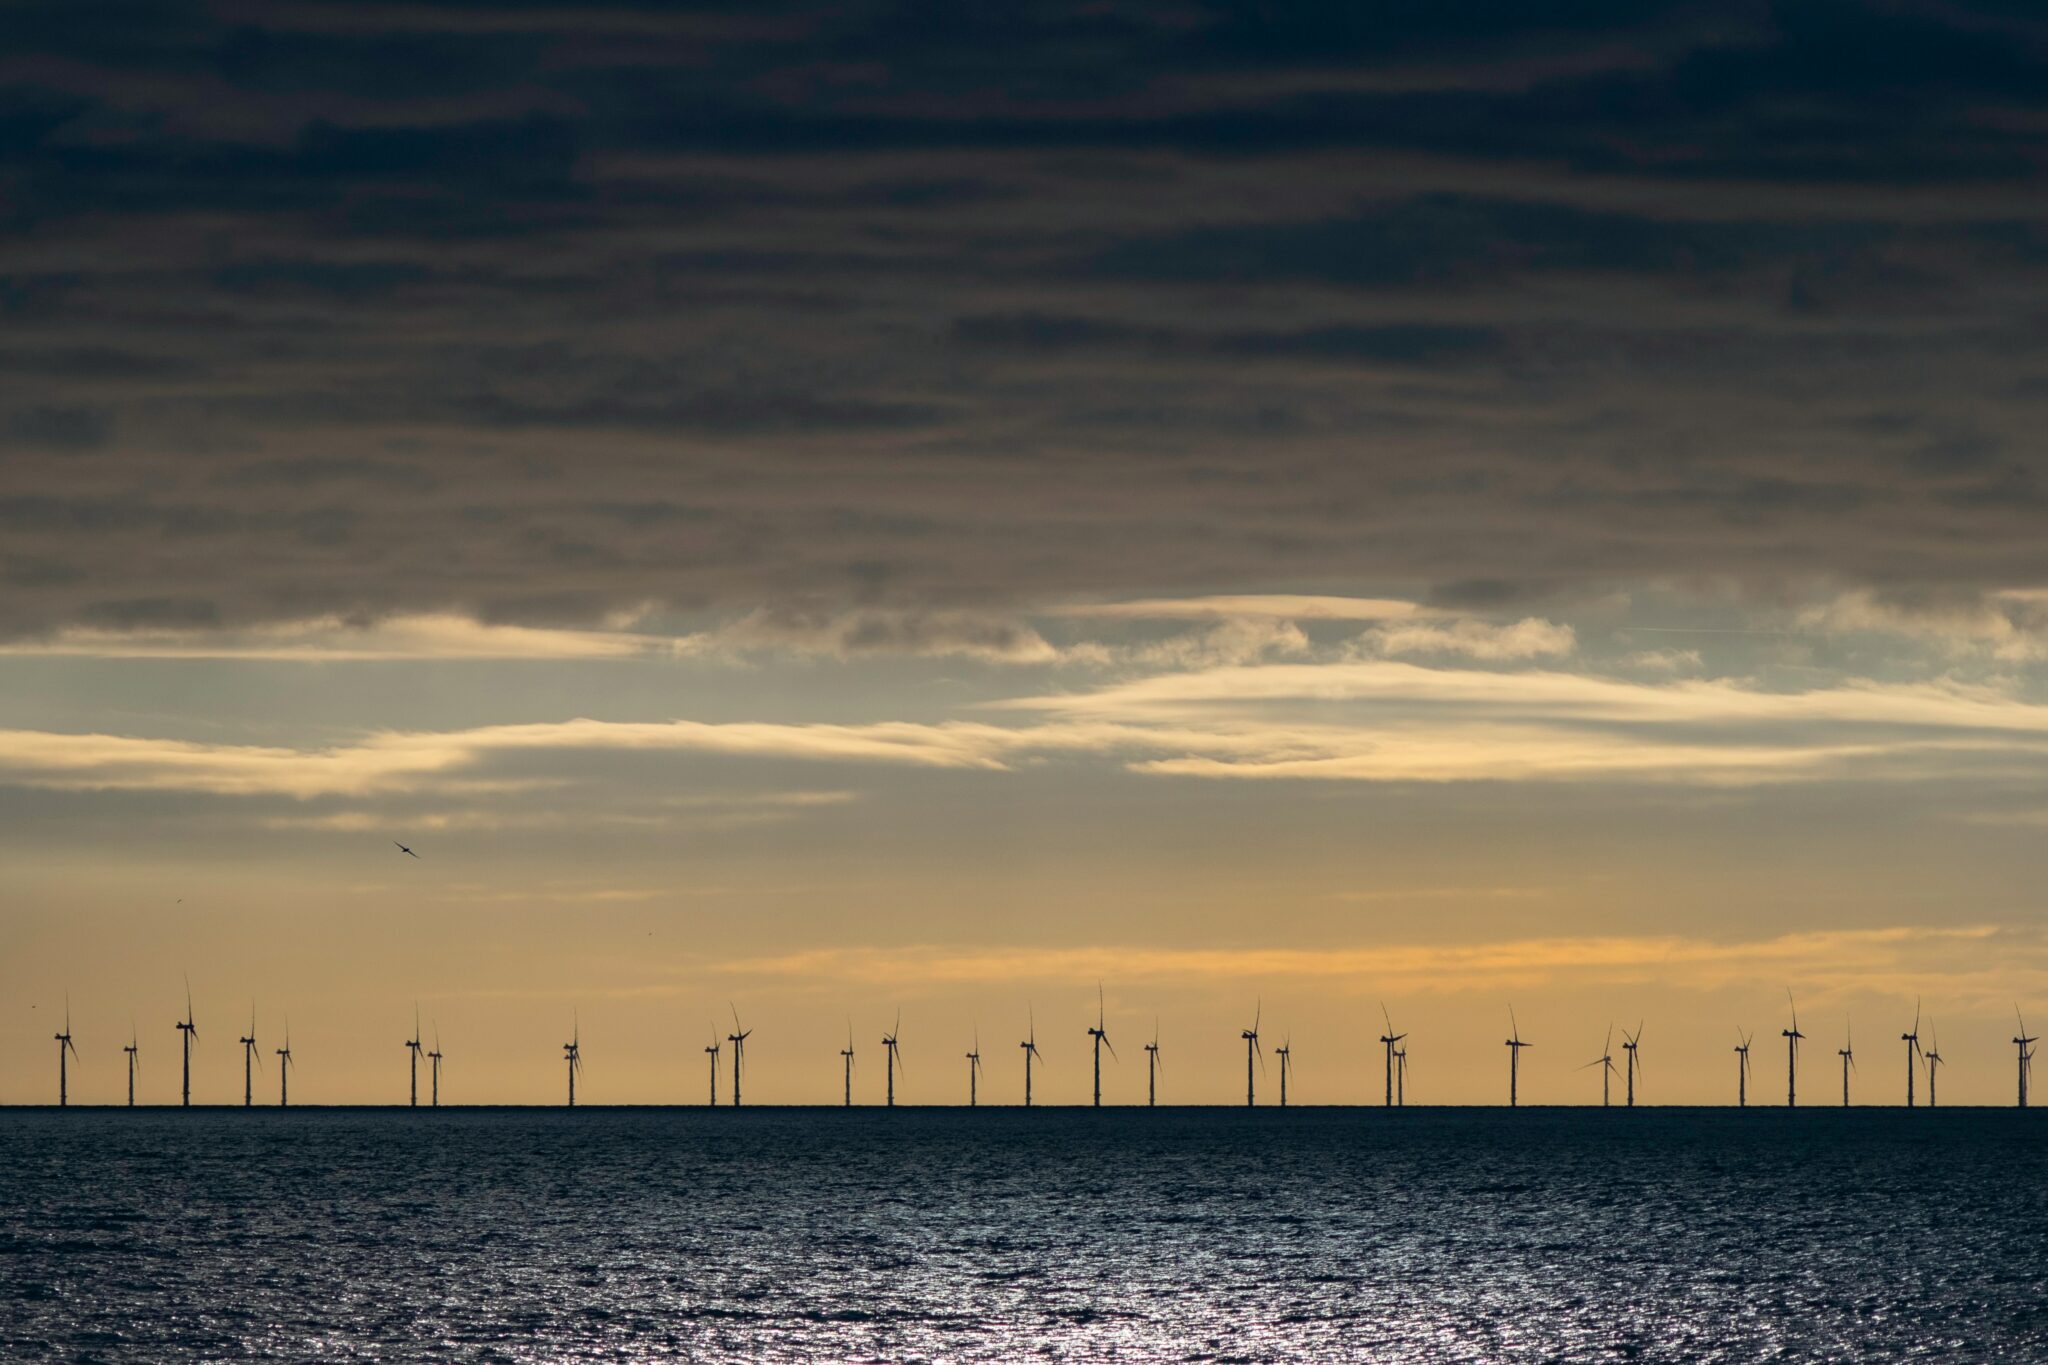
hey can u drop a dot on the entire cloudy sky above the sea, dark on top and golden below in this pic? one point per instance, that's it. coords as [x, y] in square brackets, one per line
[859, 511]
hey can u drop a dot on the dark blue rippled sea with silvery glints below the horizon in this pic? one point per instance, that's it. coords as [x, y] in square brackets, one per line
[1002, 1235]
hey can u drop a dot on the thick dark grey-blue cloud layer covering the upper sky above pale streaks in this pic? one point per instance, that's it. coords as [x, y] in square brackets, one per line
[544, 312]
